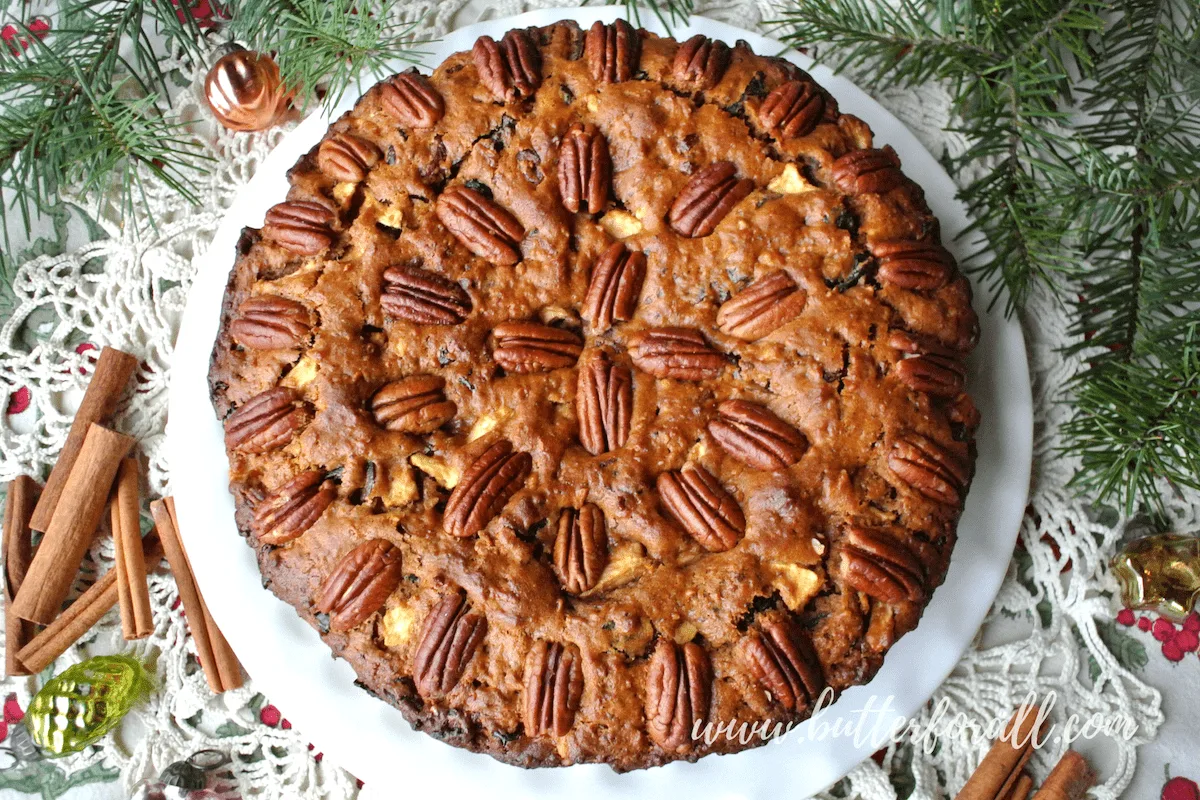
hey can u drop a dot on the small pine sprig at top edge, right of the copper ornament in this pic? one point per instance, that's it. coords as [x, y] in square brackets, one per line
[335, 44]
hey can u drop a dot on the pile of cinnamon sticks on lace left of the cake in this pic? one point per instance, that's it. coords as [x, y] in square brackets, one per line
[95, 471]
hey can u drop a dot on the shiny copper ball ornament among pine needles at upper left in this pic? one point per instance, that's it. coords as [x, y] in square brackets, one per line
[245, 92]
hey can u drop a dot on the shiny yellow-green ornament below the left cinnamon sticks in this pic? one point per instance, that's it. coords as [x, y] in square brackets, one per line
[85, 702]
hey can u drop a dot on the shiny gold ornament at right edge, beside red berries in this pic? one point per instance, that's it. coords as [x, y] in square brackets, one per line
[1161, 574]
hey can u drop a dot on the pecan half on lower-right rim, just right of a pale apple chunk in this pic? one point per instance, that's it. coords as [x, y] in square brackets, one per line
[878, 566]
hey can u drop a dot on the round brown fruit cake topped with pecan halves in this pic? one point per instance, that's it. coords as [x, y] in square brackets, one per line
[598, 388]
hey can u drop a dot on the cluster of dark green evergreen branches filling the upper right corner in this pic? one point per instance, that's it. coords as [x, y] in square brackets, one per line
[1083, 121]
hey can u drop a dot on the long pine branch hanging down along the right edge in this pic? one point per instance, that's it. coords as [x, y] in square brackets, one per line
[1135, 420]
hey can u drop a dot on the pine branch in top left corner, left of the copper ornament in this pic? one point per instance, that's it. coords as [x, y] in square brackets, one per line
[87, 107]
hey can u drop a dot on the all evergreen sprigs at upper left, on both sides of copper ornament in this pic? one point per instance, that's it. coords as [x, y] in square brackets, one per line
[86, 105]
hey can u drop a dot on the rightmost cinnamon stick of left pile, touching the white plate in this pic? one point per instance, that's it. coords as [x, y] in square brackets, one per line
[220, 665]
